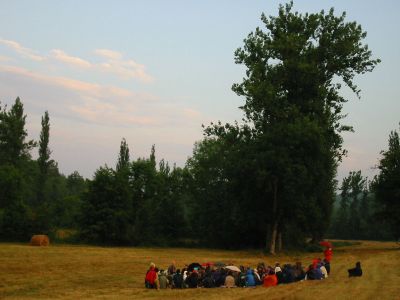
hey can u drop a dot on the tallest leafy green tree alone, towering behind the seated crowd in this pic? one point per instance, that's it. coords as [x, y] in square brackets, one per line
[295, 68]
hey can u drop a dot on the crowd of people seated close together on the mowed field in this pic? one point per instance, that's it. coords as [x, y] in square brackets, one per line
[211, 276]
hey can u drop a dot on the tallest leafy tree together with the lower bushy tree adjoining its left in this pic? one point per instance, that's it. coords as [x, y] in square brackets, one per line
[290, 144]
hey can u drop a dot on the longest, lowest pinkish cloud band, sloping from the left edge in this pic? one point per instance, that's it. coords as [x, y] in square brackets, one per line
[98, 104]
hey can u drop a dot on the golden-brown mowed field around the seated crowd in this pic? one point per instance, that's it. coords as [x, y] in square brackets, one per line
[85, 272]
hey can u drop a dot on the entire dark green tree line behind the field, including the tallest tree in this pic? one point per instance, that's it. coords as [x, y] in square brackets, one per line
[268, 181]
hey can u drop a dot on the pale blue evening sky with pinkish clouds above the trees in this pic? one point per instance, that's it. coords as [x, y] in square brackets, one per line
[153, 72]
